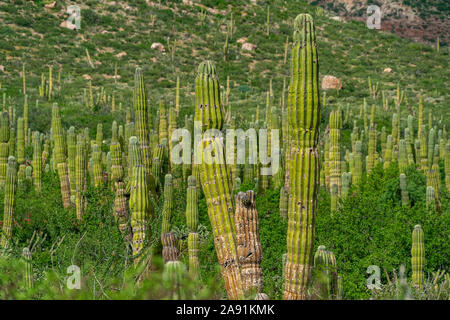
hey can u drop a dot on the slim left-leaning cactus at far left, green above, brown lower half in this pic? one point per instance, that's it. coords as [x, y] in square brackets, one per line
[60, 156]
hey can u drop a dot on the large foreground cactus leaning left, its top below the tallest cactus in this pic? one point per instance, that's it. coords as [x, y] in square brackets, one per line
[214, 177]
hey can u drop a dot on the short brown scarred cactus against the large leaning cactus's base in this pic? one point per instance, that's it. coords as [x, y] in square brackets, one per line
[248, 244]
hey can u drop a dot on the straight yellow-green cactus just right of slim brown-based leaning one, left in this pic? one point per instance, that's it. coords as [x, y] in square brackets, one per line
[80, 176]
